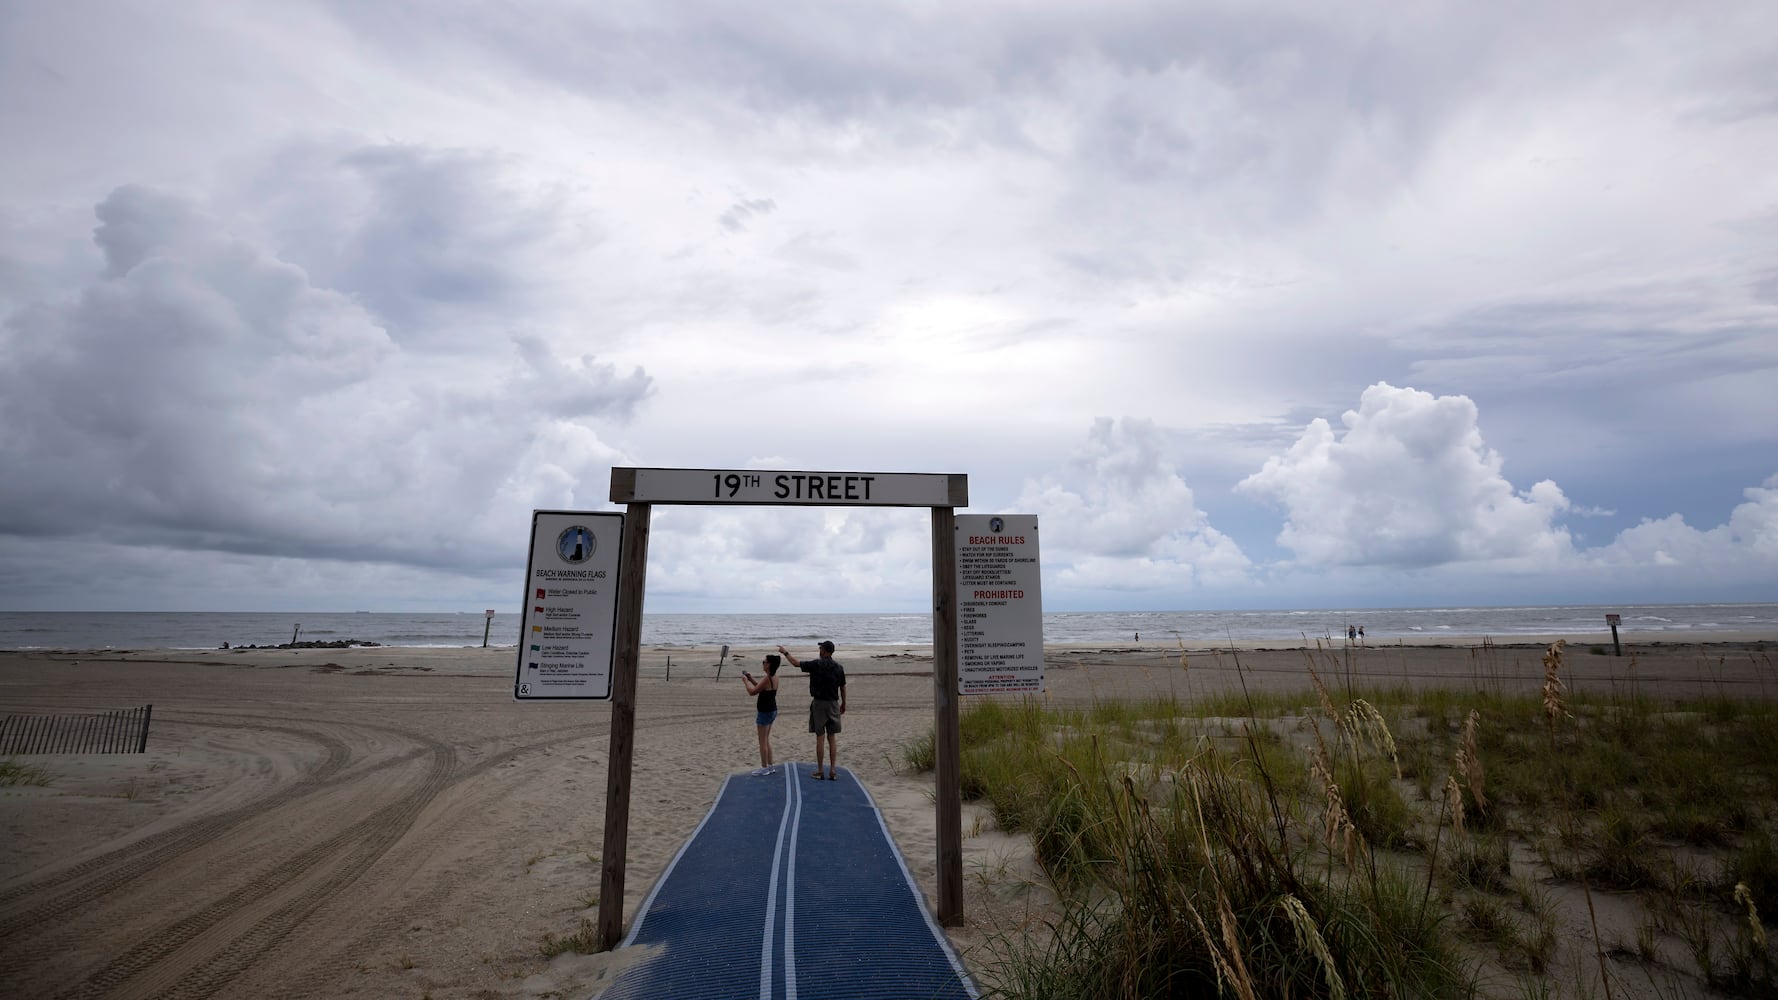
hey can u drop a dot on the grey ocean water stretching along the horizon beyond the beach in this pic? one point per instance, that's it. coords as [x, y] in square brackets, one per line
[209, 631]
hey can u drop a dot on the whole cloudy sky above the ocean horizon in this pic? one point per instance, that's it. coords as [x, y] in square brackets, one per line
[1254, 305]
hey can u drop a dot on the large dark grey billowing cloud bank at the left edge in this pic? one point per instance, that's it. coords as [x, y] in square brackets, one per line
[204, 394]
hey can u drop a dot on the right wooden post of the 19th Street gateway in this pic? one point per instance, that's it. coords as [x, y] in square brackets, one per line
[947, 739]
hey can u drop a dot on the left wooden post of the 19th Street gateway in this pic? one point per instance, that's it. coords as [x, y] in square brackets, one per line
[627, 640]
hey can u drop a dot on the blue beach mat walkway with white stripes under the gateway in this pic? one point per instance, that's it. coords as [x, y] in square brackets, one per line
[790, 889]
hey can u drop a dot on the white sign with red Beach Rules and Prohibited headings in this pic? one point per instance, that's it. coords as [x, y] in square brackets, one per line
[1000, 604]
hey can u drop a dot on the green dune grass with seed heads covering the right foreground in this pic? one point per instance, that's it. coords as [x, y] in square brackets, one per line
[1382, 843]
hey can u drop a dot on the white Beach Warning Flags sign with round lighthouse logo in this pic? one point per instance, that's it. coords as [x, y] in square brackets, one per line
[570, 627]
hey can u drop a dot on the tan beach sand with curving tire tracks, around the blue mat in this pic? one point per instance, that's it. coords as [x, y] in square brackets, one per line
[388, 823]
